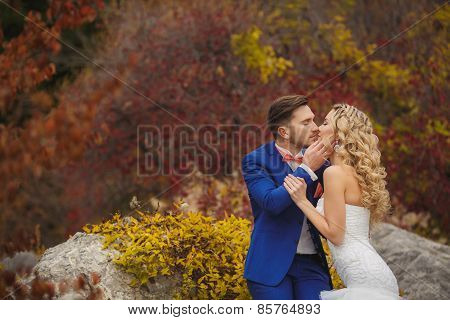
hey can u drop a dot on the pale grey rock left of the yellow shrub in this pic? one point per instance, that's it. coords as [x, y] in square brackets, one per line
[83, 254]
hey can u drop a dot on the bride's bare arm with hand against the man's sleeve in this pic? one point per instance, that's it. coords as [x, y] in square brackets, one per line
[332, 224]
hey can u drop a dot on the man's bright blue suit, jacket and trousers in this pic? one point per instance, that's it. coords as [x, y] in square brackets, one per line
[271, 258]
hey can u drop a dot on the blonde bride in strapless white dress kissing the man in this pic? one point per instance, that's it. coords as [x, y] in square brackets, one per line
[354, 199]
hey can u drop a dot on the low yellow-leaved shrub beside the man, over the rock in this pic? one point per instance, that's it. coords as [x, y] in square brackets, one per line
[208, 253]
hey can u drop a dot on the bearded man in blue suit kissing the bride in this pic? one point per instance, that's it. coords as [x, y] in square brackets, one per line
[285, 259]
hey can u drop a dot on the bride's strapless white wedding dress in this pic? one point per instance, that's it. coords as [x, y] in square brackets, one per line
[360, 267]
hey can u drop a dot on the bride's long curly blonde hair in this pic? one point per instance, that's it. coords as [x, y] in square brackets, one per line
[358, 148]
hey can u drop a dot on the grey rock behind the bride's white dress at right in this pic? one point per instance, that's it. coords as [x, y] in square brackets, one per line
[422, 267]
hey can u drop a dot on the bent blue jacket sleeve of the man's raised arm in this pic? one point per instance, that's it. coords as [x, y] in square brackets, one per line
[262, 188]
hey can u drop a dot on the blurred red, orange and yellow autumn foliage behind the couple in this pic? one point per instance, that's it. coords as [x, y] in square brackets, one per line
[78, 77]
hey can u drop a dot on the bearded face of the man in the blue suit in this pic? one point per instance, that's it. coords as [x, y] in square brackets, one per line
[302, 130]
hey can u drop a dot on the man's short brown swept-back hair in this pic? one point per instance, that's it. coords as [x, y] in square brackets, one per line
[280, 111]
